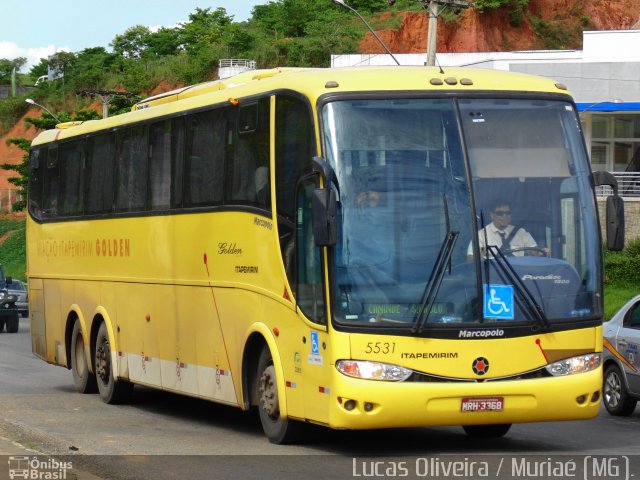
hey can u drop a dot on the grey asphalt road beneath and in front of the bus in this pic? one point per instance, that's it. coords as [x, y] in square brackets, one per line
[165, 436]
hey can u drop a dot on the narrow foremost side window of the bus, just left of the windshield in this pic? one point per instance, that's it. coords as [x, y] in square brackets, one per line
[310, 294]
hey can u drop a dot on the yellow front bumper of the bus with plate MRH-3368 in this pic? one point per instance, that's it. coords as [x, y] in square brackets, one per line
[364, 404]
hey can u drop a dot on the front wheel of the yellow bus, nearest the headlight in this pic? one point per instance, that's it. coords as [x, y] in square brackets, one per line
[278, 430]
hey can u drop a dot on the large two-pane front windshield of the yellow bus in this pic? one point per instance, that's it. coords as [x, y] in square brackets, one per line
[421, 183]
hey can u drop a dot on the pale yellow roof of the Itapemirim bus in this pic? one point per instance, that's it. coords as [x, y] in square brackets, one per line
[312, 82]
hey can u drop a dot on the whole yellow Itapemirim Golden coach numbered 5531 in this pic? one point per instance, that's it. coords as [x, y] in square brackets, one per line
[317, 244]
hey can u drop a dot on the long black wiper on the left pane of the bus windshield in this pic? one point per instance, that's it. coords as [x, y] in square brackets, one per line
[437, 274]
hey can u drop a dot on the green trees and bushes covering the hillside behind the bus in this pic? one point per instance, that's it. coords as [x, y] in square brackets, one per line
[281, 32]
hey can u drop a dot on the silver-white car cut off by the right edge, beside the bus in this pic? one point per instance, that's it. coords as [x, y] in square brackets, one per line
[621, 354]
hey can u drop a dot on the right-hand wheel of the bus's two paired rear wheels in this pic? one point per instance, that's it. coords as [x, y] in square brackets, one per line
[111, 391]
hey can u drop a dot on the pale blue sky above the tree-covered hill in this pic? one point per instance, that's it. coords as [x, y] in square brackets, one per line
[35, 29]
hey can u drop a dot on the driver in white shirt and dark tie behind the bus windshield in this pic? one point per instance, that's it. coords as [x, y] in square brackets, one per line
[505, 236]
